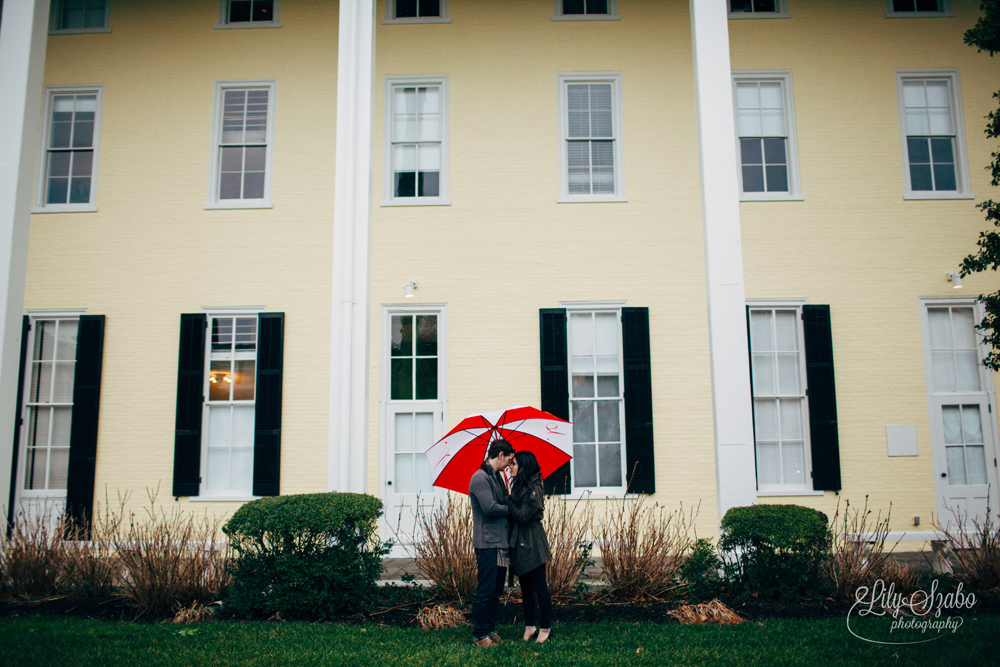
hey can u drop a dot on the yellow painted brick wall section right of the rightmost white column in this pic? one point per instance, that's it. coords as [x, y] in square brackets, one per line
[854, 242]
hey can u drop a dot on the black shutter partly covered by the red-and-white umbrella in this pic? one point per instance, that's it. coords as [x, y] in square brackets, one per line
[555, 382]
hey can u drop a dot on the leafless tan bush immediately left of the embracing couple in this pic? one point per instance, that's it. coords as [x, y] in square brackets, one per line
[443, 550]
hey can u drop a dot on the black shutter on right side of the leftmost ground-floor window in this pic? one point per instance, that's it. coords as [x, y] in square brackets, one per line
[83, 428]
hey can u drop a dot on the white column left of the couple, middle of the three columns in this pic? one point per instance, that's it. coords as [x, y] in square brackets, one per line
[352, 209]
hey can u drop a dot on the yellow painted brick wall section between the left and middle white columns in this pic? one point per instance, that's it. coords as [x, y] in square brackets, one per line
[152, 252]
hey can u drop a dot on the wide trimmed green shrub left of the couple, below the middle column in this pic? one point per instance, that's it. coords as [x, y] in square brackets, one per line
[308, 555]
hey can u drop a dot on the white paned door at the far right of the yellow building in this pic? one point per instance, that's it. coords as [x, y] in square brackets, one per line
[962, 420]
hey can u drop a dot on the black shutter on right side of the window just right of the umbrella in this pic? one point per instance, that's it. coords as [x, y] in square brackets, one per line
[640, 470]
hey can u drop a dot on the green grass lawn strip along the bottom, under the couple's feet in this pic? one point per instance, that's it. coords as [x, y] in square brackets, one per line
[61, 641]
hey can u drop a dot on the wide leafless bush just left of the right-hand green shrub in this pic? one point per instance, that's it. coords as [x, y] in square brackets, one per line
[643, 548]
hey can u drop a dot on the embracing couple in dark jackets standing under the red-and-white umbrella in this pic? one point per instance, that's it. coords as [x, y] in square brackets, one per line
[507, 532]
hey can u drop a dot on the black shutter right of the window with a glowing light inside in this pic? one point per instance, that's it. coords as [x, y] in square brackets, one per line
[267, 415]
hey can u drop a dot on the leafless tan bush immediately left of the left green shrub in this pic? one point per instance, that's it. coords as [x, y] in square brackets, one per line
[172, 559]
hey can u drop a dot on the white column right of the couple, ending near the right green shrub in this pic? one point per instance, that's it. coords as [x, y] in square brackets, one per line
[731, 400]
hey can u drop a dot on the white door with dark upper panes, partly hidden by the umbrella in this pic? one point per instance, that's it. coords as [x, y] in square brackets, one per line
[413, 413]
